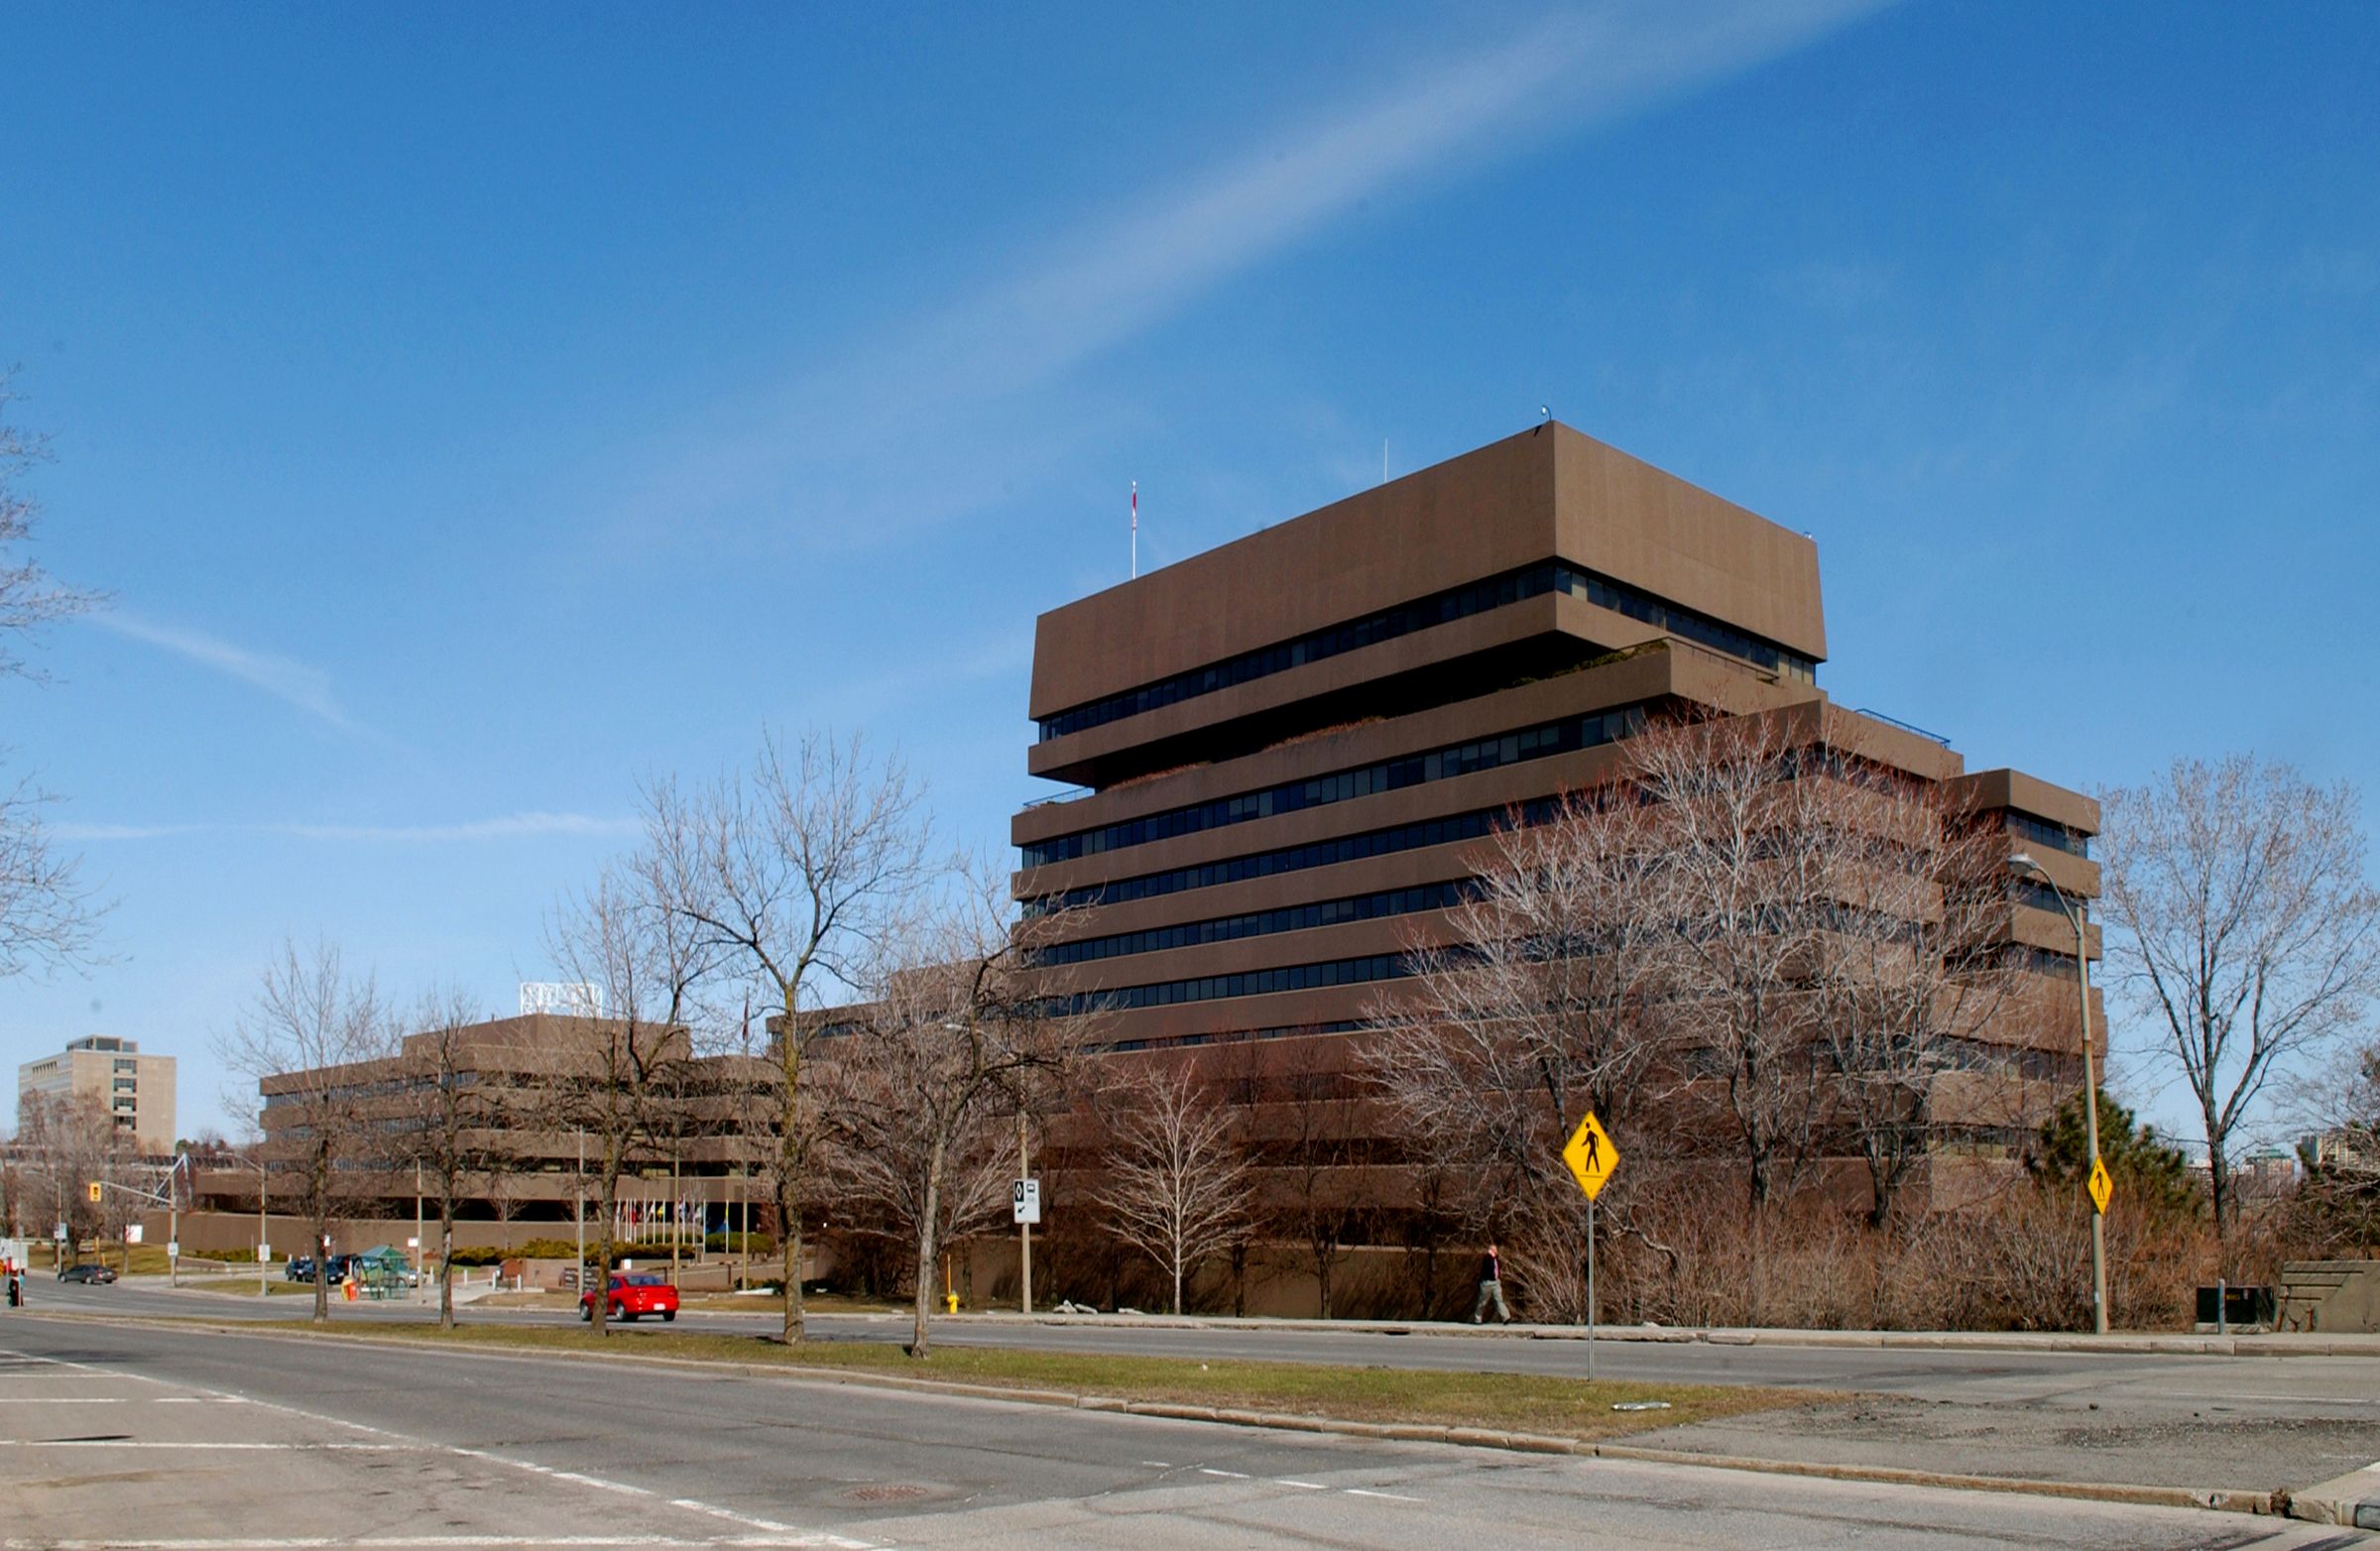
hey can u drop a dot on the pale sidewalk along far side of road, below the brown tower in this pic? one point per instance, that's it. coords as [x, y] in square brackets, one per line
[1919, 1340]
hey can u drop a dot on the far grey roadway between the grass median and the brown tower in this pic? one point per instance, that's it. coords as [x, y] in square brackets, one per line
[2077, 1417]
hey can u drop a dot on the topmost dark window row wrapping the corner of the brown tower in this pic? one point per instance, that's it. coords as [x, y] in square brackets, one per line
[1436, 610]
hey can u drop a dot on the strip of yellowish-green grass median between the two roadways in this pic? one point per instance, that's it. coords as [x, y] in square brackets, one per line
[1505, 1402]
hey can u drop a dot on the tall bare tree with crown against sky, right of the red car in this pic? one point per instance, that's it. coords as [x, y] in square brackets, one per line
[798, 869]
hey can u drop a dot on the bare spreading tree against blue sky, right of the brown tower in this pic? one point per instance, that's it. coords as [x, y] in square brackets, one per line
[2248, 931]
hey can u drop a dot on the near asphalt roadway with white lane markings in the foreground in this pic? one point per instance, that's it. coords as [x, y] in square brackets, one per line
[192, 1440]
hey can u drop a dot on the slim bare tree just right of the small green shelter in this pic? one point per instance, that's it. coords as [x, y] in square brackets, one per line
[453, 1112]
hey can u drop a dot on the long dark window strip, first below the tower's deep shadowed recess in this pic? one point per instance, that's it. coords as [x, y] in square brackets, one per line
[1386, 777]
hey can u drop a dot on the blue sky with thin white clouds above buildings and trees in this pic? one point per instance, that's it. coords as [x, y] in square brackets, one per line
[472, 413]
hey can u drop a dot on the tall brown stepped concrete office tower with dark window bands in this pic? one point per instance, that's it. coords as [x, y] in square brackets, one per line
[1294, 746]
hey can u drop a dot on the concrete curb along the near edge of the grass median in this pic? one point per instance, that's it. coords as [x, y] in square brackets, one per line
[2219, 1500]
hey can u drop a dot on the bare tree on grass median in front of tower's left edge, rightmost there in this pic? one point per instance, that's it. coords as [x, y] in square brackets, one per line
[956, 1038]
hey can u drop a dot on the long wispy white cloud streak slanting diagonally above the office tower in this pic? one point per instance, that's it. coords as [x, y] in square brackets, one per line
[925, 422]
